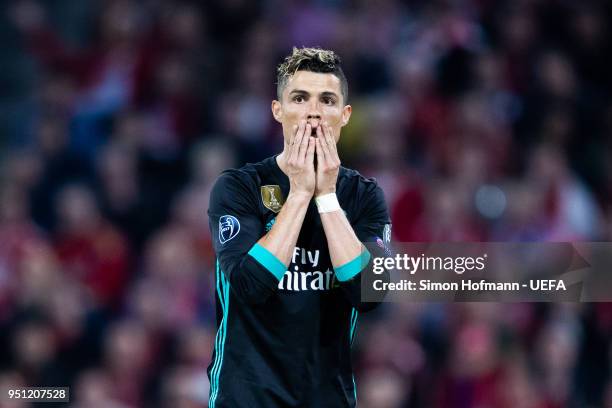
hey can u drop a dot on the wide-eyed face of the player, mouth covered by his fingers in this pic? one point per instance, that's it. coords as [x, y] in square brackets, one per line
[314, 97]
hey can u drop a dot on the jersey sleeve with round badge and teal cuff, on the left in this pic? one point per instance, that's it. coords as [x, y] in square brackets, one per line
[235, 228]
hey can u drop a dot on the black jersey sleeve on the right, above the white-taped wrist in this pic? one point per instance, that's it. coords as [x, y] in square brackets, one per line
[373, 228]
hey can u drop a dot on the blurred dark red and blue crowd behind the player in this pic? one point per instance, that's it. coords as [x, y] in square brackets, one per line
[483, 120]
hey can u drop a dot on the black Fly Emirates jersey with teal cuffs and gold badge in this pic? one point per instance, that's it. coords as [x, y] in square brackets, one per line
[284, 340]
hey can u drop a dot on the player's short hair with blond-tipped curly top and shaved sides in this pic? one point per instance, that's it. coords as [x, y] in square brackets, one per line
[313, 60]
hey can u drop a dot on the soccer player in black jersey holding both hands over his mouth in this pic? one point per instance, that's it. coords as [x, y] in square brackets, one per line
[288, 233]
